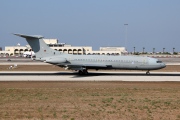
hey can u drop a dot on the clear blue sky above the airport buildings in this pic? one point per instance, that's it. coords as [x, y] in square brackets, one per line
[96, 23]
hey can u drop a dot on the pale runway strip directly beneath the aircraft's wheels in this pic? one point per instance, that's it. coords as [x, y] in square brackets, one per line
[92, 76]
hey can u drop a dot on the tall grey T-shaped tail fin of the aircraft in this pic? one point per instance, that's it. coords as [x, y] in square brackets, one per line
[38, 45]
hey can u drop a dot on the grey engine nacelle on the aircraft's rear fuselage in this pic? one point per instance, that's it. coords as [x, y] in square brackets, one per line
[56, 60]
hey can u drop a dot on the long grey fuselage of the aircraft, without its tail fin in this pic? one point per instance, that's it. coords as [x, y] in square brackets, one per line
[108, 62]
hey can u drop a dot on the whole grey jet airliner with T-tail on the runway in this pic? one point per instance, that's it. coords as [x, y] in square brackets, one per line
[82, 63]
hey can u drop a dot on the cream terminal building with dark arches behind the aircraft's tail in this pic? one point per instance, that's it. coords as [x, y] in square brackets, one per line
[53, 43]
